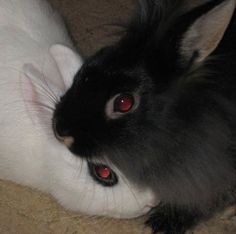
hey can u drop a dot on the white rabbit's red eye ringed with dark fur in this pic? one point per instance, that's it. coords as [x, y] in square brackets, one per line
[103, 174]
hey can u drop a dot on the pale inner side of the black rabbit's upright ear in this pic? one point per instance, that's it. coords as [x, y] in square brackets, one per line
[205, 34]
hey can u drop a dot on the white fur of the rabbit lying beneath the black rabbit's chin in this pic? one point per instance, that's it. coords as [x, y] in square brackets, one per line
[31, 76]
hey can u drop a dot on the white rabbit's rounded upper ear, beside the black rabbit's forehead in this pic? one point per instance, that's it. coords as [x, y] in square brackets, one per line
[68, 62]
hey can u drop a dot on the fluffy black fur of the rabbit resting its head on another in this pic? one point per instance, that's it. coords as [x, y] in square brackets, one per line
[181, 140]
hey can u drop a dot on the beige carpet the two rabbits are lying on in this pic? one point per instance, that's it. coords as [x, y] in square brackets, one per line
[23, 211]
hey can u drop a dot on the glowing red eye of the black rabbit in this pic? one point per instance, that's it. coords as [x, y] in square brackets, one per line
[123, 103]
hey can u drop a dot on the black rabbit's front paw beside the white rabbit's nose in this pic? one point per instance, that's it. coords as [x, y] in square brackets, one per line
[171, 220]
